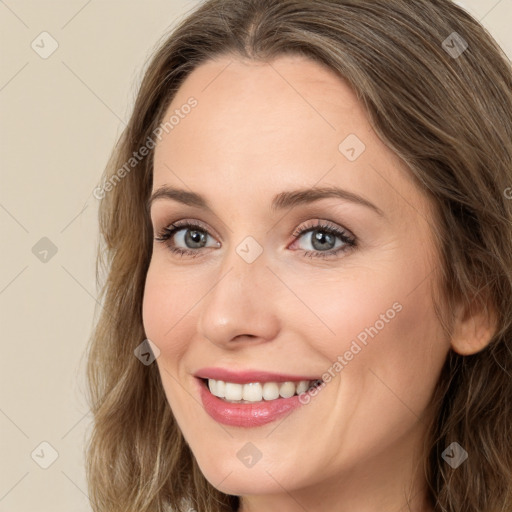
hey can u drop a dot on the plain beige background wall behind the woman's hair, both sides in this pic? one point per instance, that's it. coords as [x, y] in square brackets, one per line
[60, 117]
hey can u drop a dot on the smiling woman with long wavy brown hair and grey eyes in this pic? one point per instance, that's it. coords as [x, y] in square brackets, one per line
[307, 232]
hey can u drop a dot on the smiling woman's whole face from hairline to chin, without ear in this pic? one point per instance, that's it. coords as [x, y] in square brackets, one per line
[269, 285]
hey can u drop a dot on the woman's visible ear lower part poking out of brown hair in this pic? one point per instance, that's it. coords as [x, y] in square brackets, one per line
[473, 328]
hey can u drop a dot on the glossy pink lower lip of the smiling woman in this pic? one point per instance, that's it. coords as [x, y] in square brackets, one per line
[246, 415]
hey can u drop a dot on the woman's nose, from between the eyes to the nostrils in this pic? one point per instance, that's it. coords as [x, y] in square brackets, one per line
[241, 305]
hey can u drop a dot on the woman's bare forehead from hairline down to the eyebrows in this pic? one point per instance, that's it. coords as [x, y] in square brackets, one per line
[272, 126]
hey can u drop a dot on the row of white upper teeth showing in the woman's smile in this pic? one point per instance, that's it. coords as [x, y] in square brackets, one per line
[256, 391]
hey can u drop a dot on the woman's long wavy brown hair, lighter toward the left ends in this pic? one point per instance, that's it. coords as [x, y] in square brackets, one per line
[449, 118]
